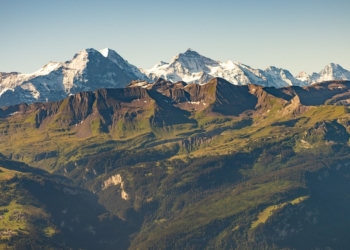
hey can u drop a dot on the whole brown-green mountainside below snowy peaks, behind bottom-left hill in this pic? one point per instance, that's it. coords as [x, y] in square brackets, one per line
[188, 166]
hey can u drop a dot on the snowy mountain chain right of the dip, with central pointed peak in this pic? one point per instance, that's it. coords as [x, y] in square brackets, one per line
[192, 67]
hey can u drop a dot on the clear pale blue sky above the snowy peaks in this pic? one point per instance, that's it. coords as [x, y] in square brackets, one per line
[296, 35]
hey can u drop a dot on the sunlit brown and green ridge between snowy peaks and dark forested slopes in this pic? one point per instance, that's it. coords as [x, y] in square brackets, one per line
[217, 115]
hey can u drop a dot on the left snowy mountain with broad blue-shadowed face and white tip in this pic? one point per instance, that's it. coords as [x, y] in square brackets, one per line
[88, 70]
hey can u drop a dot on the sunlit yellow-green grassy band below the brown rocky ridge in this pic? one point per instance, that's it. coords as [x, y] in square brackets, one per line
[23, 142]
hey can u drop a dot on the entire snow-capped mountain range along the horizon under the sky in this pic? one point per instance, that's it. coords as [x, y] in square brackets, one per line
[91, 69]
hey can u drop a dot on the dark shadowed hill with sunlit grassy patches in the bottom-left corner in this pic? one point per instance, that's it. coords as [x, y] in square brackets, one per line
[43, 211]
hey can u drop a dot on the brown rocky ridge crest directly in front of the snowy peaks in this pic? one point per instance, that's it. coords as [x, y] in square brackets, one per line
[217, 95]
